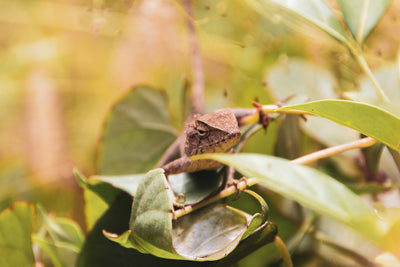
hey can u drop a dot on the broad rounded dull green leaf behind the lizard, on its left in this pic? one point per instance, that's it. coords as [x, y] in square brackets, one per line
[136, 133]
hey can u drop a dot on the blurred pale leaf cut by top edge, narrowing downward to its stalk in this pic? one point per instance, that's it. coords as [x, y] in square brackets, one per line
[361, 16]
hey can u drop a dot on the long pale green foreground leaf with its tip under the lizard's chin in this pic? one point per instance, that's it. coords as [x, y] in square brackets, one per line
[314, 190]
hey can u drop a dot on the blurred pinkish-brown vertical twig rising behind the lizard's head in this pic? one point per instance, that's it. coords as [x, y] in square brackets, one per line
[197, 62]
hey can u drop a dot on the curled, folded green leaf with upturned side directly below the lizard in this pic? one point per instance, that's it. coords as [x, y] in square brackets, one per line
[207, 234]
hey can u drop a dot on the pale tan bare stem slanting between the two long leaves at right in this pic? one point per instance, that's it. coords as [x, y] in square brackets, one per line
[364, 142]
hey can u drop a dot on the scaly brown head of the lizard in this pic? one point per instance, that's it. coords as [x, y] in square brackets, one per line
[214, 132]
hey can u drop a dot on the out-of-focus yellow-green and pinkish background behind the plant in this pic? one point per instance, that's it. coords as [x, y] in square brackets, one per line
[64, 63]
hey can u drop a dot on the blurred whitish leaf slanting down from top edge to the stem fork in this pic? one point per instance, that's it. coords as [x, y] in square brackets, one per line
[315, 12]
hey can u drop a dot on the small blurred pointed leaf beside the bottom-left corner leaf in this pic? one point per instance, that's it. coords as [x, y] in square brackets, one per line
[64, 232]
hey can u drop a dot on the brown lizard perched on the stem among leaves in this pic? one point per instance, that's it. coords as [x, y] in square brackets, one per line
[210, 133]
